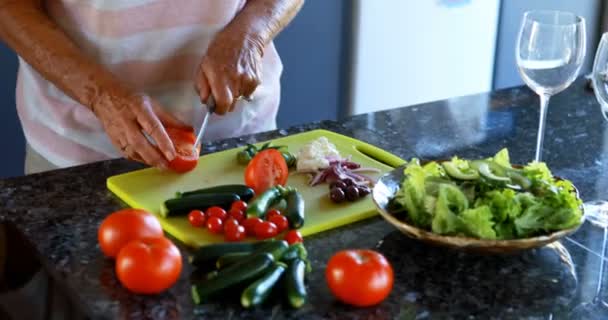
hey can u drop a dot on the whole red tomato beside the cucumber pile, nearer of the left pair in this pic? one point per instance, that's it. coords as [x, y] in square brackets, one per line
[148, 266]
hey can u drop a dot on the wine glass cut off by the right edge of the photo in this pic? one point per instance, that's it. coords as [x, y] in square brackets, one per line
[596, 212]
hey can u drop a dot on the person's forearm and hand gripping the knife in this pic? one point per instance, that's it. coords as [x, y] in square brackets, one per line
[232, 65]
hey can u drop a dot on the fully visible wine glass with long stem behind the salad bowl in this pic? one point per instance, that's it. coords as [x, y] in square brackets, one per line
[550, 52]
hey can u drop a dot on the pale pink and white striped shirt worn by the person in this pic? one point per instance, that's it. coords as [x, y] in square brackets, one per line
[156, 47]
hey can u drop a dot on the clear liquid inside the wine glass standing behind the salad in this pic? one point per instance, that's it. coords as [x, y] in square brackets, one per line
[548, 77]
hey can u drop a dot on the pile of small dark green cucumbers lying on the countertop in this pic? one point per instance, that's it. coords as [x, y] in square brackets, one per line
[254, 269]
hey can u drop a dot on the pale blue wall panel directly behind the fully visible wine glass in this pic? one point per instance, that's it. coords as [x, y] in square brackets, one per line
[506, 74]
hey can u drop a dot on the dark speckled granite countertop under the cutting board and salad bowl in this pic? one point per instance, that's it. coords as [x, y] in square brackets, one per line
[59, 212]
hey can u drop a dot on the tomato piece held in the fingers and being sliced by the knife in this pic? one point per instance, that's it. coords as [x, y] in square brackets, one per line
[186, 156]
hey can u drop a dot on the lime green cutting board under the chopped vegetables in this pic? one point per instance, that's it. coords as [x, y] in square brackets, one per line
[149, 188]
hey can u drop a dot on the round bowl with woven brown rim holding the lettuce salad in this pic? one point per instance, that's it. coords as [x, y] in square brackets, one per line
[388, 185]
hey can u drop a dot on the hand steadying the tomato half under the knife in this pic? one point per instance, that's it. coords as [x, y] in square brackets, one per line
[126, 118]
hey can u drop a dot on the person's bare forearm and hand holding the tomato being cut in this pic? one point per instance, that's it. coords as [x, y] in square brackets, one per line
[27, 29]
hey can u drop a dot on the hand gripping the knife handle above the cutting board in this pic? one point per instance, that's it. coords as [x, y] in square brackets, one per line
[231, 68]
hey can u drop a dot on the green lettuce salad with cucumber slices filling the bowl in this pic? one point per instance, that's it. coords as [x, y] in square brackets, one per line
[487, 198]
